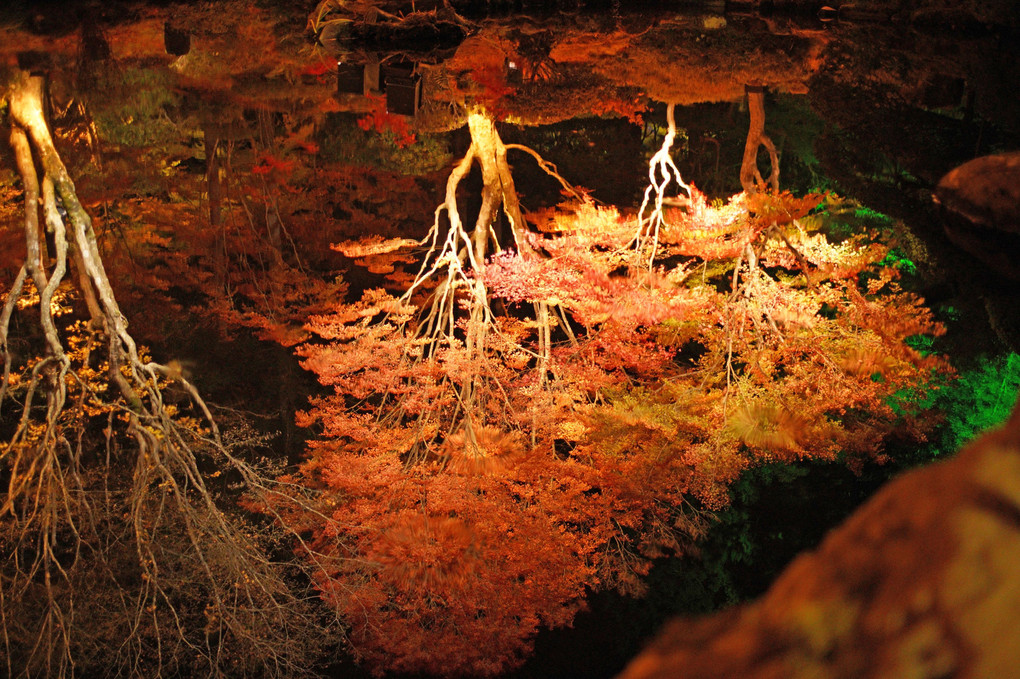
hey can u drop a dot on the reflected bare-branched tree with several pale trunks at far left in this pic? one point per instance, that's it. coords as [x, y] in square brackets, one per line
[73, 516]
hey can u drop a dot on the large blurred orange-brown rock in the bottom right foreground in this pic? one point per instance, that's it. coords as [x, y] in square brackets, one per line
[924, 582]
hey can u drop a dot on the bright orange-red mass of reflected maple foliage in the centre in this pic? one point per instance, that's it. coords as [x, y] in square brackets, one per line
[582, 413]
